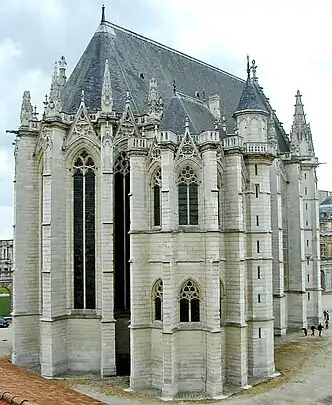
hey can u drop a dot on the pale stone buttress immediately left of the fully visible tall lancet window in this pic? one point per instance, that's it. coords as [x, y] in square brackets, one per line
[53, 262]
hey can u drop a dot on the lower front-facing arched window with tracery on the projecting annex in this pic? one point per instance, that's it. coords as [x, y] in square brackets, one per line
[189, 302]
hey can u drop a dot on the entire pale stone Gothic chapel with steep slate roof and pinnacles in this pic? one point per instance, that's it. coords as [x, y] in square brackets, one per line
[166, 226]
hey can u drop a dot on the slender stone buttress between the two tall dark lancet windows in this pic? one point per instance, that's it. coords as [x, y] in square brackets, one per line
[108, 366]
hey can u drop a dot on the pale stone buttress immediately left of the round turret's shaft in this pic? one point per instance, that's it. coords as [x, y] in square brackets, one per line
[236, 327]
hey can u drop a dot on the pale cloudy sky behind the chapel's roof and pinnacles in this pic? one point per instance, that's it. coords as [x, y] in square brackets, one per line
[289, 39]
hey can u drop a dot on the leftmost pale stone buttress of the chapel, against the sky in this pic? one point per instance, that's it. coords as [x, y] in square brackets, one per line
[26, 286]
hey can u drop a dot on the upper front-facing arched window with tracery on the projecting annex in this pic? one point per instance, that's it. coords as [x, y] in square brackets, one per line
[188, 197]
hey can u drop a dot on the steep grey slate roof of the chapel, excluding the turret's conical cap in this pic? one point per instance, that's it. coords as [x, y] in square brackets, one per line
[133, 61]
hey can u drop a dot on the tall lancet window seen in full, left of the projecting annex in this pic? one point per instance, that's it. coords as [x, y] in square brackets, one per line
[84, 232]
